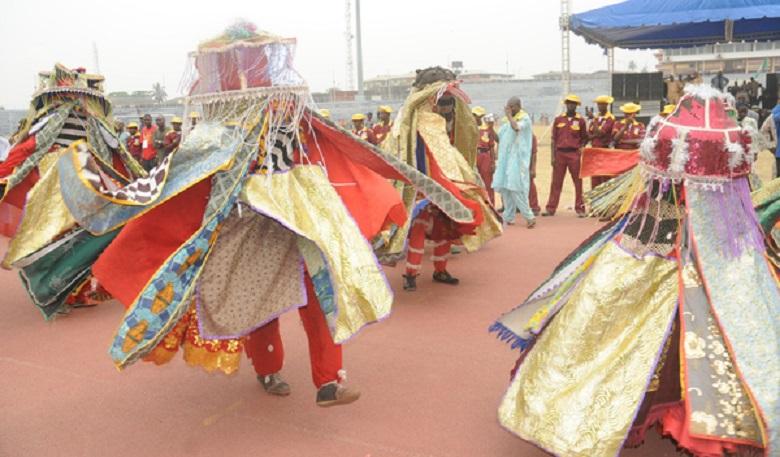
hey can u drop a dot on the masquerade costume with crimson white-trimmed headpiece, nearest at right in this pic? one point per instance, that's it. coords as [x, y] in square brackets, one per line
[667, 317]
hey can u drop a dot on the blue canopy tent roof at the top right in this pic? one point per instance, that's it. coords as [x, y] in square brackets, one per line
[658, 24]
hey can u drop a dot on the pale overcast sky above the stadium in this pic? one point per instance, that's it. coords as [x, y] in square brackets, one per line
[140, 43]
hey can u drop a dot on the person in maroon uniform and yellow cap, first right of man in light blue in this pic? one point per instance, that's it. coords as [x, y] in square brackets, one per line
[569, 134]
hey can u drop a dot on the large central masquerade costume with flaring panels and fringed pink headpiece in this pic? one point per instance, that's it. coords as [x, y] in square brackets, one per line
[266, 208]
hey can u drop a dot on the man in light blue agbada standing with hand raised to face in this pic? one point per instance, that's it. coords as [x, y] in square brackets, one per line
[513, 174]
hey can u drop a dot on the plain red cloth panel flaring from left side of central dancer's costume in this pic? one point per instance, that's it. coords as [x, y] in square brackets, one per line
[146, 242]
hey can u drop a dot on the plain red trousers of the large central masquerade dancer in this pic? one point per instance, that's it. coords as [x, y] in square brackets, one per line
[264, 346]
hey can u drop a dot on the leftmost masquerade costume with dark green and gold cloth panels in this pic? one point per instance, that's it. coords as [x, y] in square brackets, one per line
[52, 251]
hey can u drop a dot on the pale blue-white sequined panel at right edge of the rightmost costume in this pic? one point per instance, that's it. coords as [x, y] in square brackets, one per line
[745, 301]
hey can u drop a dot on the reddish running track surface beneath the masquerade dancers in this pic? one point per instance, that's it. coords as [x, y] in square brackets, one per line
[431, 376]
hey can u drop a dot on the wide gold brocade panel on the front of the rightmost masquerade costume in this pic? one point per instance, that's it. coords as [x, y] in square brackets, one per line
[578, 389]
